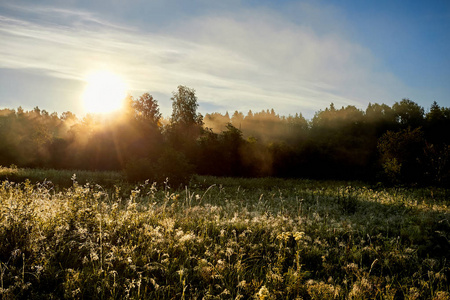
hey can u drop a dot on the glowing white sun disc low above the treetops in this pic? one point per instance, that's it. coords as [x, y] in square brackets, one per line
[104, 93]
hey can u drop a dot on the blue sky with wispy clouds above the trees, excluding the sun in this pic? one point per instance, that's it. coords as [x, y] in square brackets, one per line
[292, 56]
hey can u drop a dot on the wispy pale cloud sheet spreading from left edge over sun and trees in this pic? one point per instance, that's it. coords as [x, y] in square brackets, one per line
[249, 59]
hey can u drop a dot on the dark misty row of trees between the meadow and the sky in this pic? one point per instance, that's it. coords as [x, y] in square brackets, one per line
[398, 144]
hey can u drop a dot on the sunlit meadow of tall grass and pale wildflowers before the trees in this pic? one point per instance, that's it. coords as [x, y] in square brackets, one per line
[94, 236]
